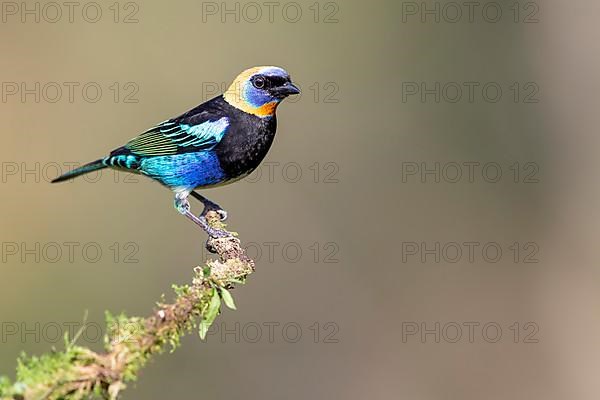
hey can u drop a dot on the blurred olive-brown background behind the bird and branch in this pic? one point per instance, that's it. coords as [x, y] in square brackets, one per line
[364, 293]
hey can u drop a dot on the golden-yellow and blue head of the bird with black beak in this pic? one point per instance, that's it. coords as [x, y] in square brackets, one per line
[259, 90]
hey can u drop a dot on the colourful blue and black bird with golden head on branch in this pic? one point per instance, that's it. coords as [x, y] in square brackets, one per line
[219, 142]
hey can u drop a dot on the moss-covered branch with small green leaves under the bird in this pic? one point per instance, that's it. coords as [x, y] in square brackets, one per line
[80, 373]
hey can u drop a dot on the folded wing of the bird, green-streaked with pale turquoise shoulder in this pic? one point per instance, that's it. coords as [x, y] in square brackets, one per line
[169, 138]
